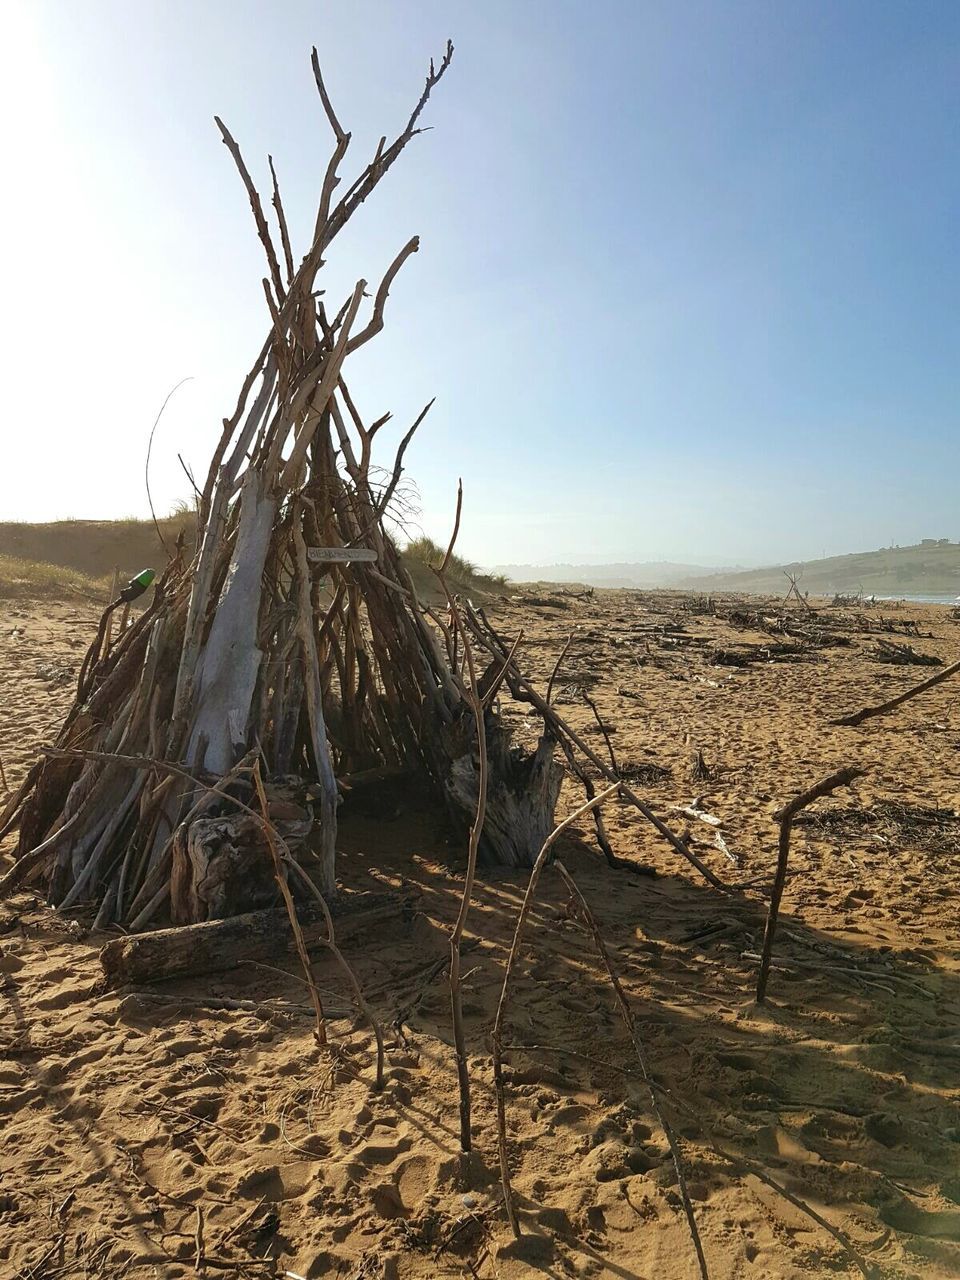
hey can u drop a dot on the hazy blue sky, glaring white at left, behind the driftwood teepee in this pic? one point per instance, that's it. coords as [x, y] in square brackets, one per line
[689, 282]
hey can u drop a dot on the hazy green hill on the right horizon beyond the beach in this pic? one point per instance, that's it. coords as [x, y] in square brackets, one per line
[930, 568]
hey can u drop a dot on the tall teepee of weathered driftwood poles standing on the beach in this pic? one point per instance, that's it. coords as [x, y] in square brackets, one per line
[292, 639]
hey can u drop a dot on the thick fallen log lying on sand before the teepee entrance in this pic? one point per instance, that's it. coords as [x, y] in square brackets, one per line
[217, 945]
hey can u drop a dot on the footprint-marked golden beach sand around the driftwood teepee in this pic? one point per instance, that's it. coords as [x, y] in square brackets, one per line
[134, 1122]
